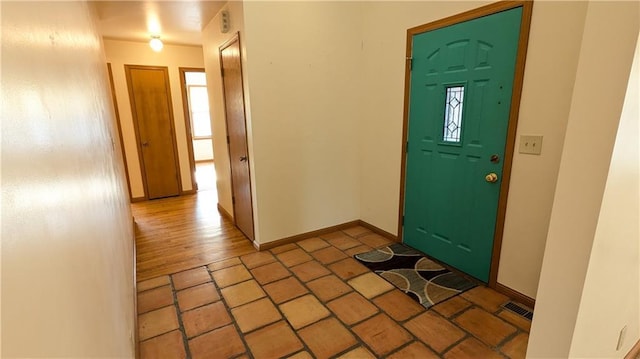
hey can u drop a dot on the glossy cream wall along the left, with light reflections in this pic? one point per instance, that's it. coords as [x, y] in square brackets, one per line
[67, 235]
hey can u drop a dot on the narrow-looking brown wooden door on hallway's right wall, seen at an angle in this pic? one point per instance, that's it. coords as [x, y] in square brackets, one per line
[237, 135]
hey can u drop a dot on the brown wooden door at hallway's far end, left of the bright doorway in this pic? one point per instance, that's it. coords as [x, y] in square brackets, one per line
[150, 98]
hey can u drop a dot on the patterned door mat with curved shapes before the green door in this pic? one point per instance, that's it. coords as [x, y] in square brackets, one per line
[424, 280]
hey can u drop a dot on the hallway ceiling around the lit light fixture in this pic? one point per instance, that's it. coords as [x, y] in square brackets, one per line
[177, 22]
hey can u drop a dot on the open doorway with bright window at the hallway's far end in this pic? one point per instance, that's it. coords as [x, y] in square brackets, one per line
[198, 124]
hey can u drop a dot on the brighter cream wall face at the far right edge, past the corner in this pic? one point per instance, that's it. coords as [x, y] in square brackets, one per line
[613, 276]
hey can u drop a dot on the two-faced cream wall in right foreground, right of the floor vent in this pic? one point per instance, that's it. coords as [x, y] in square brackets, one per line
[583, 232]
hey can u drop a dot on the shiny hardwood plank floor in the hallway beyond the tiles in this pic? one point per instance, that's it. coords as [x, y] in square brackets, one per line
[179, 233]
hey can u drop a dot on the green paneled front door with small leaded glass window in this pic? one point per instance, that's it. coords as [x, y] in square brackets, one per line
[459, 102]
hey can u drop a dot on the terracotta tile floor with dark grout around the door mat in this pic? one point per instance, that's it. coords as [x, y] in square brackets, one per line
[311, 300]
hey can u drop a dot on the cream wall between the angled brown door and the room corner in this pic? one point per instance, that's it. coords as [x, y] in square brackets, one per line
[305, 85]
